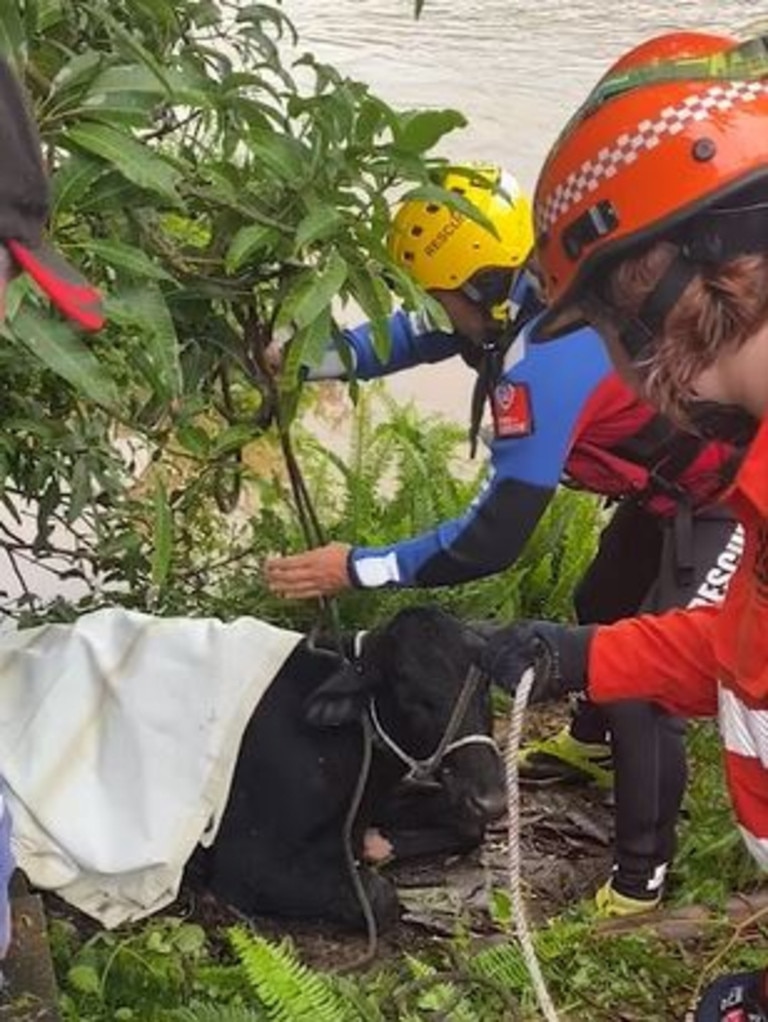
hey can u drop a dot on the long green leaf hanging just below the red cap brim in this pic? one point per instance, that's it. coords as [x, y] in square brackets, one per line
[61, 349]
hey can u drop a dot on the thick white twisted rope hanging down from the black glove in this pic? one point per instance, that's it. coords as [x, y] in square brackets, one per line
[516, 887]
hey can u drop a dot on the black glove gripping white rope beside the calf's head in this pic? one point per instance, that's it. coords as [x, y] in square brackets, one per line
[559, 653]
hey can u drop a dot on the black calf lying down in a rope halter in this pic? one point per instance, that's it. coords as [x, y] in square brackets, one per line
[280, 848]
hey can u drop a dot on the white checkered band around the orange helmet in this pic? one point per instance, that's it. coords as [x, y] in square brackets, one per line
[629, 146]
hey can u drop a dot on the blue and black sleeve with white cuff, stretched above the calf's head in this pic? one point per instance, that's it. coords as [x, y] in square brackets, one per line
[524, 475]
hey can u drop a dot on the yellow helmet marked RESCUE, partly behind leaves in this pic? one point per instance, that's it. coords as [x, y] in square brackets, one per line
[443, 249]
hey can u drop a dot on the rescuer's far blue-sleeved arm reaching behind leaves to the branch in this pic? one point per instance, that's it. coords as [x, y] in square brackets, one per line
[414, 342]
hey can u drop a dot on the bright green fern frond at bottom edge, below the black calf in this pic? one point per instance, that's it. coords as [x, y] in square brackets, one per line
[290, 991]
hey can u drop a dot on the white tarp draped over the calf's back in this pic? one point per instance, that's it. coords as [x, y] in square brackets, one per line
[119, 737]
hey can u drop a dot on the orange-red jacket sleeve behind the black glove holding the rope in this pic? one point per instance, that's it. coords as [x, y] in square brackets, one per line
[668, 660]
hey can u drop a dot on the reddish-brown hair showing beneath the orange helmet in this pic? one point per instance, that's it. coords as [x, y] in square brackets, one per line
[722, 307]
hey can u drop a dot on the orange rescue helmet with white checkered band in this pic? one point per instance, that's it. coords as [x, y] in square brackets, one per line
[679, 125]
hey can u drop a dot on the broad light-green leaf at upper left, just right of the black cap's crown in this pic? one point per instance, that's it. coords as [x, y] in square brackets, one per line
[135, 162]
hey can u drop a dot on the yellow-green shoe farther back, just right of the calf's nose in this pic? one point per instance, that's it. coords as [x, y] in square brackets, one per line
[564, 760]
